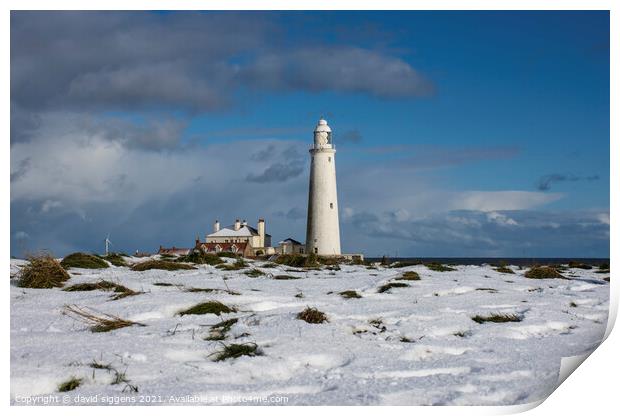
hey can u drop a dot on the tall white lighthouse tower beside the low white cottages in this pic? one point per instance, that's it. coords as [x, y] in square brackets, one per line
[323, 229]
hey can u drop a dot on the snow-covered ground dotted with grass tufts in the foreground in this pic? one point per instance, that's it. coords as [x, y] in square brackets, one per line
[358, 357]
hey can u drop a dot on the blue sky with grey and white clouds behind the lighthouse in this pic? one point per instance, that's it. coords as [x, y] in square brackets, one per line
[458, 134]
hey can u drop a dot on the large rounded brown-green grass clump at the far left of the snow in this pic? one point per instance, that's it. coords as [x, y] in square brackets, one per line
[42, 272]
